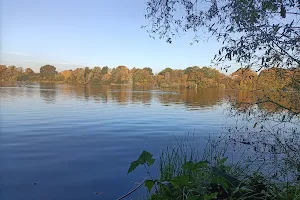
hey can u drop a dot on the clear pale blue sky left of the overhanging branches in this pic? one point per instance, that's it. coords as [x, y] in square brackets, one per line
[77, 33]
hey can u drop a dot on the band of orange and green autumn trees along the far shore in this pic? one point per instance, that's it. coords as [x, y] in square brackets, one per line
[191, 77]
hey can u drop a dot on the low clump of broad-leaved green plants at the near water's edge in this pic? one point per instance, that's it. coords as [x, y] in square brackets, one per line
[204, 180]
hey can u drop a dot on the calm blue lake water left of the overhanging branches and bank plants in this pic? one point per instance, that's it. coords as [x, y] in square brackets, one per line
[73, 141]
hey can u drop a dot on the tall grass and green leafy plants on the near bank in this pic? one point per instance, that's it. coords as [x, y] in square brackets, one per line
[186, 174]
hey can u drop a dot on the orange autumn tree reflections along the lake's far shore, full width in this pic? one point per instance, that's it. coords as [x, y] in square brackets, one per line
[193, 99]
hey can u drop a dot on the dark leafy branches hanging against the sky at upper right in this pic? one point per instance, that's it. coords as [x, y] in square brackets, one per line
[255, 32]
